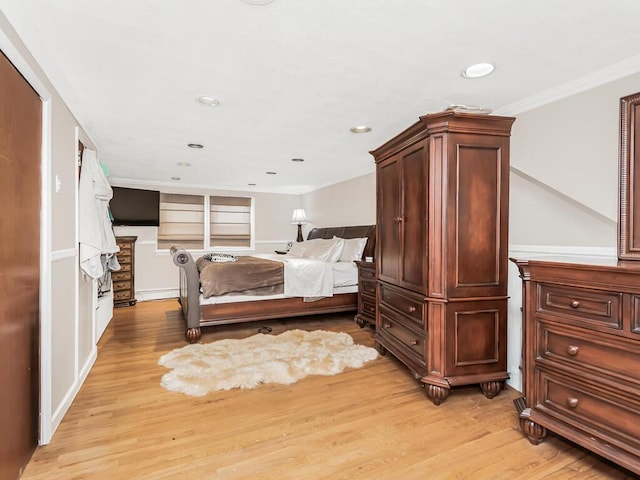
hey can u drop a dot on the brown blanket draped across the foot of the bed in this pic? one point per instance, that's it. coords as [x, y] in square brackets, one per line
[247, 273]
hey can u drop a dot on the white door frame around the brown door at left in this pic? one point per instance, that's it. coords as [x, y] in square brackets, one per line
[19, 60]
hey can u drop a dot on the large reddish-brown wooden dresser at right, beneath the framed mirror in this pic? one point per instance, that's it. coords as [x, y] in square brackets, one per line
[581, 355]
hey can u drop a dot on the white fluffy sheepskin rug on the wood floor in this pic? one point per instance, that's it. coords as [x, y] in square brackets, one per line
[286, 358]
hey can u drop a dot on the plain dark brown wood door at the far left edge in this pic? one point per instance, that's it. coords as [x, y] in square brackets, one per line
[20, 147]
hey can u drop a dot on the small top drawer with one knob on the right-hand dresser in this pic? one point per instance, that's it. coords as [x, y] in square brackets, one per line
[592, 307]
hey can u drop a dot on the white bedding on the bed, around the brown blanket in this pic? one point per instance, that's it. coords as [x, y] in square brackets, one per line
[303, 277]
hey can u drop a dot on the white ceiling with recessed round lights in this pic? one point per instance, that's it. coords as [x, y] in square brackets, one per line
[293, 76]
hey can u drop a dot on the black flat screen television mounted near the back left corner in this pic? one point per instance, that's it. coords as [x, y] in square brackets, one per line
[135, 207]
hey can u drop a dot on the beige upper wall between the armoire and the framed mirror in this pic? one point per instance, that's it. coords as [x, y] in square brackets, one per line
[570, 145]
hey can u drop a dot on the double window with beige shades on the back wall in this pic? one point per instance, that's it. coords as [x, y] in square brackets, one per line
[201, 222]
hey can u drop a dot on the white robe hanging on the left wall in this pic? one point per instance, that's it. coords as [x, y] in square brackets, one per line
[95, 229]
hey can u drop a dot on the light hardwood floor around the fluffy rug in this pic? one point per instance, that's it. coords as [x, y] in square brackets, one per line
[370, 423]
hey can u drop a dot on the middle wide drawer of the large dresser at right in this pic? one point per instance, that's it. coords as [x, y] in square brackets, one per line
[574, 347]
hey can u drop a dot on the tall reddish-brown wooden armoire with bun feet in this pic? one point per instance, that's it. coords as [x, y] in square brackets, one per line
[442, 250]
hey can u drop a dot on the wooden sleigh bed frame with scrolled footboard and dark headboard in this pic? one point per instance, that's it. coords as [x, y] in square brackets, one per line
[200, 312]
